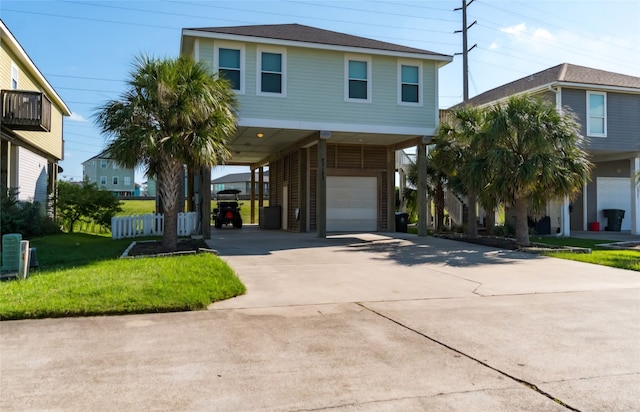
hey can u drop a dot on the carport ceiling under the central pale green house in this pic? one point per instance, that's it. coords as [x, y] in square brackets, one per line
[247, 148]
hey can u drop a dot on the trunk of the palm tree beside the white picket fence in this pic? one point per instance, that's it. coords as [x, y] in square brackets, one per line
[169, 176]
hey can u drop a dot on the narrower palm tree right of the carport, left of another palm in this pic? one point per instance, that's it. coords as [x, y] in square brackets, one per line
[460, 155]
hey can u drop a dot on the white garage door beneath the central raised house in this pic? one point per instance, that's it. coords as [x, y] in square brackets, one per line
[352, 204]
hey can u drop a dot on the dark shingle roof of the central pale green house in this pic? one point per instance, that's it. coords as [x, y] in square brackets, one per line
[307, 34]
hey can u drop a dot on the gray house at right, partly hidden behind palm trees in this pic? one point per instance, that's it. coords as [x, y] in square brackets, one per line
[608, 107]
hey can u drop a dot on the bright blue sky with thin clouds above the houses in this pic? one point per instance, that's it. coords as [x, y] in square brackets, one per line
[85, 48]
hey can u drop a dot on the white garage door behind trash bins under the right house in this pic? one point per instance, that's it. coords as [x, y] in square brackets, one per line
[614, 193]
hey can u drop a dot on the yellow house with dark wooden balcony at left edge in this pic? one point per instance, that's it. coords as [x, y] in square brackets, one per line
[30, 126]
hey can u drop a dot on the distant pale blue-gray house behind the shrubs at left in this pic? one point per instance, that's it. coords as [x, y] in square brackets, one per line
[109, 175]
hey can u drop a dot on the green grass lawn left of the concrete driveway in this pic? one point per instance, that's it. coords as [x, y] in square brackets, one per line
[80, 275]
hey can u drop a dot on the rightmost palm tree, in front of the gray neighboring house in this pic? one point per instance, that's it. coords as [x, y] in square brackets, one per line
[536, 154]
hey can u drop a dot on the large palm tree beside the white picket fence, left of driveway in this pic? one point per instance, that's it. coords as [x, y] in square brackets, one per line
[174, 112]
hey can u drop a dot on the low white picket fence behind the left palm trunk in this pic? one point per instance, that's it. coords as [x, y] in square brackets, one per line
[150, 225]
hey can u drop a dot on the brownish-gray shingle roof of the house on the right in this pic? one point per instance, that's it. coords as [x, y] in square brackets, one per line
[562, 73]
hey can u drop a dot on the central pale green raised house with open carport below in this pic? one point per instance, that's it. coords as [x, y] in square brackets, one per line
[325, 111]
